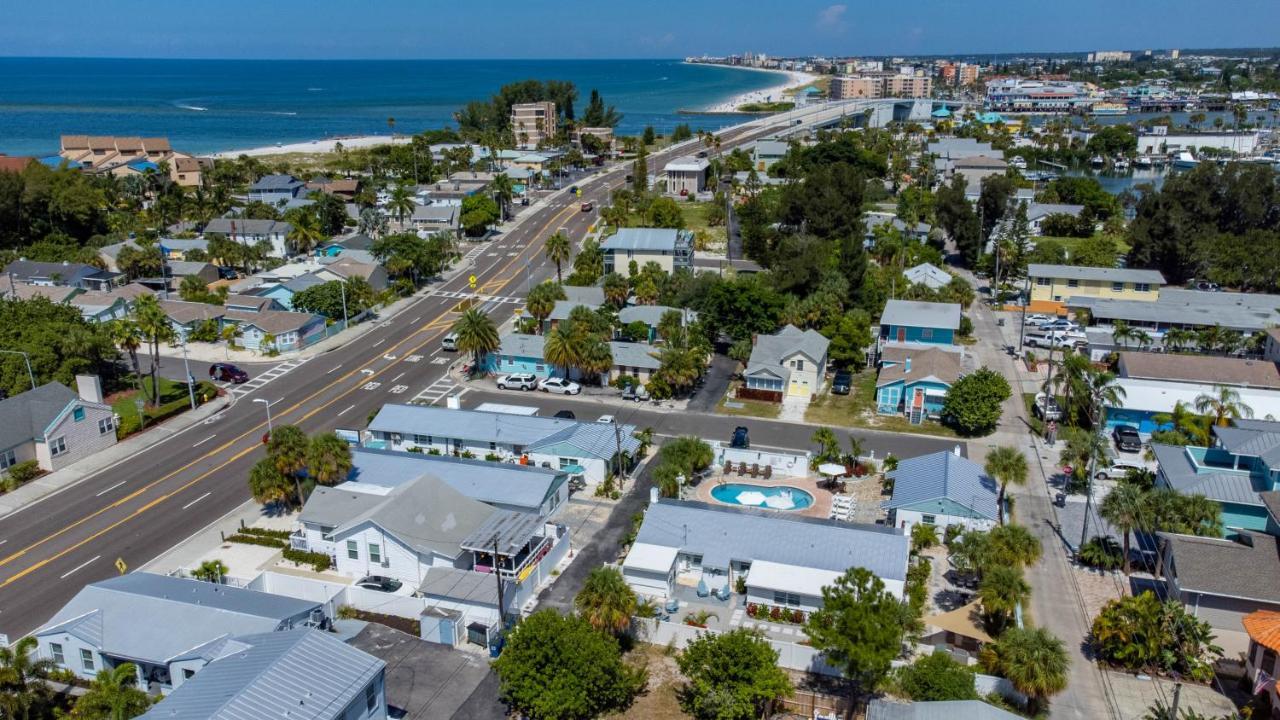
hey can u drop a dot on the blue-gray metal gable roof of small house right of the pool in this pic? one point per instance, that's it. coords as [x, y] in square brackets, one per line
[944, 476]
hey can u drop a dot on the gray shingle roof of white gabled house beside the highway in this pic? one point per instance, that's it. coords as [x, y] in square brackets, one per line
[426, 514]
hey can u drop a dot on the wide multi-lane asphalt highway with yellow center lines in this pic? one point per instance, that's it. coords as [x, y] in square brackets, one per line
[144, 505]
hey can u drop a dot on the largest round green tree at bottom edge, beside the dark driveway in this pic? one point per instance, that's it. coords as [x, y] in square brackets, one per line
[560, 668]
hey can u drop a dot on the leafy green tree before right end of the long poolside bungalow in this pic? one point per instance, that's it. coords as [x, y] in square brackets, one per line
[860, 627]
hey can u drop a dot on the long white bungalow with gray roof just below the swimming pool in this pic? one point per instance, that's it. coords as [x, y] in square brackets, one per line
[783, 560]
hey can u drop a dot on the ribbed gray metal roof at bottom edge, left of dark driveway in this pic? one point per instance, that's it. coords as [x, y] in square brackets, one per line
[303, 675]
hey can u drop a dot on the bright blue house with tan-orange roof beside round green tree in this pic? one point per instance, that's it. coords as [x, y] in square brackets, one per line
[915, 382]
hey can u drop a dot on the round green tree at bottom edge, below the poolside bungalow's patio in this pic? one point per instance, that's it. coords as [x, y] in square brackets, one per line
[732, 676]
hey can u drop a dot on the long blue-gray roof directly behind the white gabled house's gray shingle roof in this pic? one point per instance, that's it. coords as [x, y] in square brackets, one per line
[496, 484]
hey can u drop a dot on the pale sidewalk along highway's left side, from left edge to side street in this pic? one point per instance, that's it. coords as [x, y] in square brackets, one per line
[122, 452]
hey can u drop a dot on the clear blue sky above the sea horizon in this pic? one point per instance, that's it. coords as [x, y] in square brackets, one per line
[607, 29]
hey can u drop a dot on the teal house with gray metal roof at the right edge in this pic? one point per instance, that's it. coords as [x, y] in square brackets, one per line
[1244, 463]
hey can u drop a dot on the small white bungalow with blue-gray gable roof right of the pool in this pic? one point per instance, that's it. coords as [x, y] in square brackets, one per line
[943, 490]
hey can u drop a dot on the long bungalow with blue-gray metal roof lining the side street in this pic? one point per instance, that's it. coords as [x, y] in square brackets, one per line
[588, 450]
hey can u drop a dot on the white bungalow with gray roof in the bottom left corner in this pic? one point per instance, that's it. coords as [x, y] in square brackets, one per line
[186, 623]
